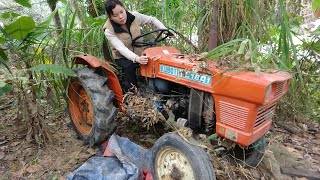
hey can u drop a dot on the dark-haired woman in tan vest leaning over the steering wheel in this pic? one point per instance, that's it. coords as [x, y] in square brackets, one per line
[120, 29]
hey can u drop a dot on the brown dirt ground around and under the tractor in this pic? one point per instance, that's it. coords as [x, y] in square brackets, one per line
[286, 154]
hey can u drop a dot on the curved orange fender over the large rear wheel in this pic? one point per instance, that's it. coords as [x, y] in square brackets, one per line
[113, 81]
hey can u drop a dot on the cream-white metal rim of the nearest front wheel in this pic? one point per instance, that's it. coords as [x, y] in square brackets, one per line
[172, 164]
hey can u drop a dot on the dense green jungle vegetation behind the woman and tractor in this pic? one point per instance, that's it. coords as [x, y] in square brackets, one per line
[39, 38]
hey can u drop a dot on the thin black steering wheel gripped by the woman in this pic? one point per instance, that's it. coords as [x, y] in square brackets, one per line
[151, 41]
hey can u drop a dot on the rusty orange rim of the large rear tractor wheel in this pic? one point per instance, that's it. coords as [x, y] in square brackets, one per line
[80, 107]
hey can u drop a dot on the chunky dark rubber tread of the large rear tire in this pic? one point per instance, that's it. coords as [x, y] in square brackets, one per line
[104, 111]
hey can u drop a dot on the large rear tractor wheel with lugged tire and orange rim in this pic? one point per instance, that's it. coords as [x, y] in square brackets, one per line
[91, 108]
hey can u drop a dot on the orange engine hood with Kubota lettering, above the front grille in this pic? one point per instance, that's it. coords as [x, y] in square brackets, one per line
[167, 63]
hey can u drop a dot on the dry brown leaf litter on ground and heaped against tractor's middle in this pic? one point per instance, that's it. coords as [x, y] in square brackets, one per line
[21, 159]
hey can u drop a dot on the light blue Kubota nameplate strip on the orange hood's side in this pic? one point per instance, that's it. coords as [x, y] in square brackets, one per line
[185, 74]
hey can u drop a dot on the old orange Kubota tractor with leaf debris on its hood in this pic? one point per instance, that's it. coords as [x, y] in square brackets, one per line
[237, 106]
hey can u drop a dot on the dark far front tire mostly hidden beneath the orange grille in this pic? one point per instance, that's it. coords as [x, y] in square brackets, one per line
[248, 157]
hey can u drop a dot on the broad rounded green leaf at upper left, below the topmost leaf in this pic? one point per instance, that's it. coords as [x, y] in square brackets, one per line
[20, 28]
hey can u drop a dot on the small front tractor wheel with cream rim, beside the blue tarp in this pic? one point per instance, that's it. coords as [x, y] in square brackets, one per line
[174, 158]
